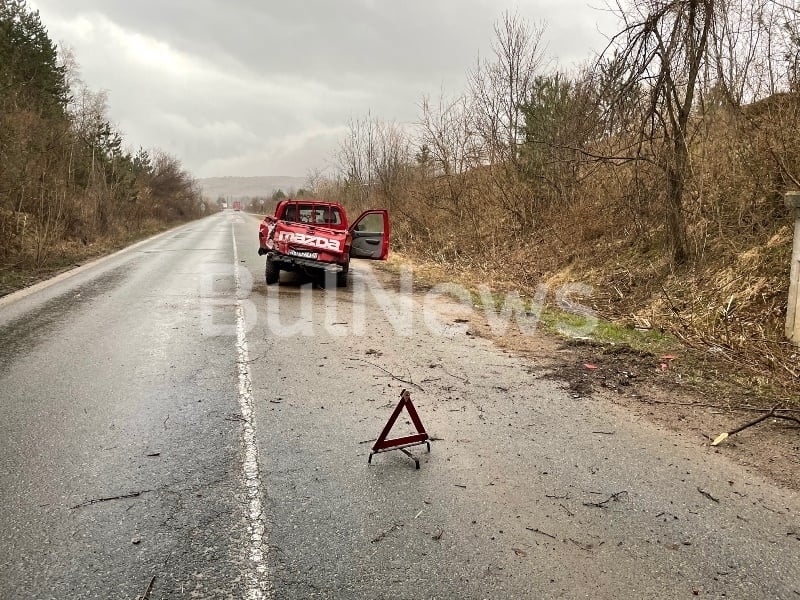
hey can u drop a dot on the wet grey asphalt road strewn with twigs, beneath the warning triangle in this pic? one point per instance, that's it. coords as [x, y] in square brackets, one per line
[132, 406]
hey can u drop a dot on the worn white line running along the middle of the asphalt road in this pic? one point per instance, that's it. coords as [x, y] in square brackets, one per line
[257, 585]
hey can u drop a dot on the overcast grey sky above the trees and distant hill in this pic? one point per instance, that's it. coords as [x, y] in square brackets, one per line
[267, 87]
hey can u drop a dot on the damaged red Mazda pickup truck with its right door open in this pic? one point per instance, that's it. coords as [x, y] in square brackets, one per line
[315, 236]
